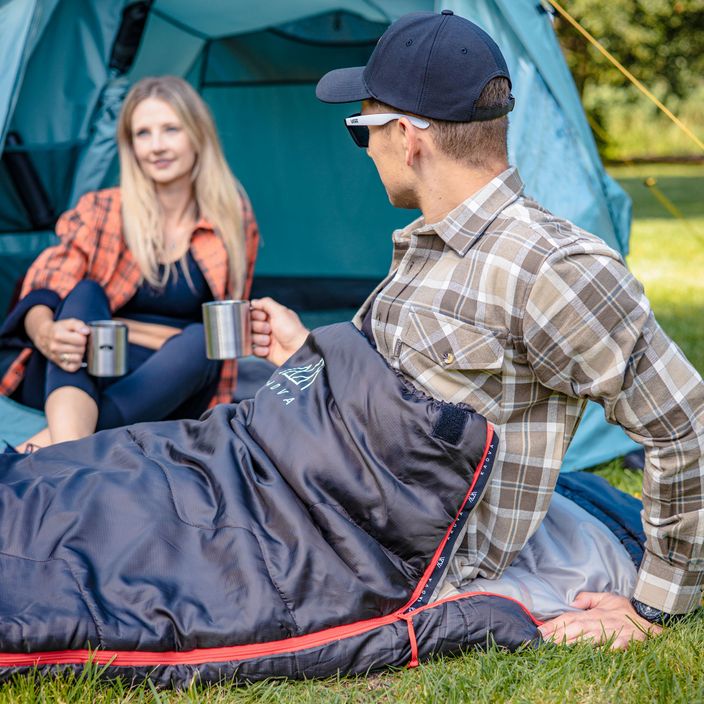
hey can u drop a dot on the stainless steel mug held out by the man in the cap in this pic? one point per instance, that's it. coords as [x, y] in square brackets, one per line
[227, 331]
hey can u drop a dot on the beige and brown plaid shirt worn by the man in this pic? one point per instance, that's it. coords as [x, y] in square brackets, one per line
[524, 317]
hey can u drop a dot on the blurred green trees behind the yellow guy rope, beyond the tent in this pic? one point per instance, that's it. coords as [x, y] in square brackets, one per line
[662, 43]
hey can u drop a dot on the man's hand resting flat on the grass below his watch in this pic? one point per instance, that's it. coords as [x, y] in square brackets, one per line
[604, 616]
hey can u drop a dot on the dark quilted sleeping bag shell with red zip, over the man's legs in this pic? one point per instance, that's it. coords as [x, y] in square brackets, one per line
[299, 533]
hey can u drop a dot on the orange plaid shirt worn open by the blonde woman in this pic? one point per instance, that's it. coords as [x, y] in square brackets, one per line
[92, 247]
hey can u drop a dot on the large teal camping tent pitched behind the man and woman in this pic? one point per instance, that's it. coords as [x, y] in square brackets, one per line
[323, 213]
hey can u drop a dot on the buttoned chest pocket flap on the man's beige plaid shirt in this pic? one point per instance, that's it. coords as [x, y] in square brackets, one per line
[452, 343]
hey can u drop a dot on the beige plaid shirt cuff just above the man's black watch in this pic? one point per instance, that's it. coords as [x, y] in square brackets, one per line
[666, 587]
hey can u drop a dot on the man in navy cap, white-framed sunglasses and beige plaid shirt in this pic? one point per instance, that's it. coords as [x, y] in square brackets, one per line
[494, 302]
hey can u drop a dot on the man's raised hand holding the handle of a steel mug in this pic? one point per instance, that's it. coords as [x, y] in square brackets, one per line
[277, 332]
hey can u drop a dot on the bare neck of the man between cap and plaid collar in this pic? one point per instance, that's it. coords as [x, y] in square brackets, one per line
[451, 185]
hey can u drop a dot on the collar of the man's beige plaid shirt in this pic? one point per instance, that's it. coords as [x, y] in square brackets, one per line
[463, 225]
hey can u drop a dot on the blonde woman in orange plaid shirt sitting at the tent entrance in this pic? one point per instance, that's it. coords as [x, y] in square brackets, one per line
[179, 231]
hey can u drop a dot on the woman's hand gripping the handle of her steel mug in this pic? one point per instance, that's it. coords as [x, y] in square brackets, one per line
[61, 341]
